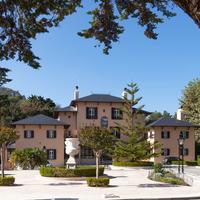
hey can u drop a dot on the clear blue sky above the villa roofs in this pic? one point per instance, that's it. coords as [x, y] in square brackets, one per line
[162, 68]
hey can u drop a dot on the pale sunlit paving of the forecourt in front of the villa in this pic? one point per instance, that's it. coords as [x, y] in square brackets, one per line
[126, 183]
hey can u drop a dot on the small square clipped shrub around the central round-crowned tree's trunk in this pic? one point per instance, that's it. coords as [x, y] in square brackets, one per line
[97, 182]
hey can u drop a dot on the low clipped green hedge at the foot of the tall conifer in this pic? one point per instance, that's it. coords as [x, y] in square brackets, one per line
[133, 164]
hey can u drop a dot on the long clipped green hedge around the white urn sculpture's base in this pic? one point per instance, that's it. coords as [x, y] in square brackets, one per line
[78, 172]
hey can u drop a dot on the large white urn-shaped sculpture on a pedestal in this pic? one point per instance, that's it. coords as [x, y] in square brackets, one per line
[72, 148]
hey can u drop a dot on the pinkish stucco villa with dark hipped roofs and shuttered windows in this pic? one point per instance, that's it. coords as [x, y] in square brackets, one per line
[99, 110]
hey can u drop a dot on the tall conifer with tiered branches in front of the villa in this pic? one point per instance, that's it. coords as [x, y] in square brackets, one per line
[135, 147]
